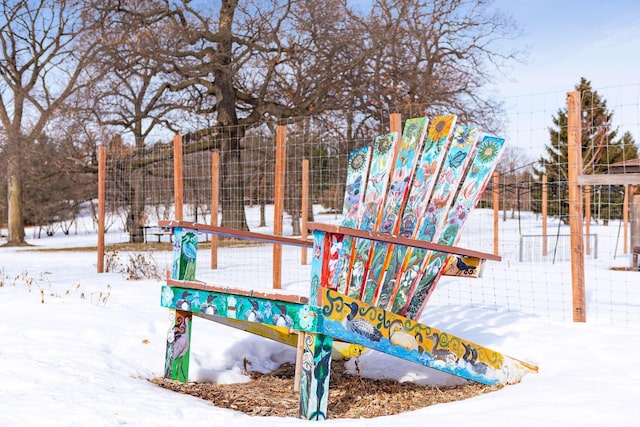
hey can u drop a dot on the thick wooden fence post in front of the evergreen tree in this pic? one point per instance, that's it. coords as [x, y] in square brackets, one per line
[574, 131]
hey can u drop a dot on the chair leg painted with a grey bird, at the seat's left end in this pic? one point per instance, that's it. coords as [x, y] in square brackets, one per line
[176, 364]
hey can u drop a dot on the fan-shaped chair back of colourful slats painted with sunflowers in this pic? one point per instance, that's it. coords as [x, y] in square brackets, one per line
[422, 186]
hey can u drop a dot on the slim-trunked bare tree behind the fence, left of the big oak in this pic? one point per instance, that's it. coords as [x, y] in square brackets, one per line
[134, 96]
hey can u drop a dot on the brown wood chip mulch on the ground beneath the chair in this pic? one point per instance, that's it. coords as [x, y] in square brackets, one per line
[350, 396]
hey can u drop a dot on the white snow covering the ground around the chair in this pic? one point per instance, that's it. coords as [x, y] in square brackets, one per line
[78, 347]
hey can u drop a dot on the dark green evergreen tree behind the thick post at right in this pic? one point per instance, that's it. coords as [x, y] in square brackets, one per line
[601, 147]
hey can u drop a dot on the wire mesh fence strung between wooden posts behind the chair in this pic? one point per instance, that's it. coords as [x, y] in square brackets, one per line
[140, 191]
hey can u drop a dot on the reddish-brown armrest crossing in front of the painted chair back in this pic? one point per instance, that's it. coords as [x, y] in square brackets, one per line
[371, 235]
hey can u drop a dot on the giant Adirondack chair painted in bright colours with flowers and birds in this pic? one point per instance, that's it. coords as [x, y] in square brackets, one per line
[406, 201]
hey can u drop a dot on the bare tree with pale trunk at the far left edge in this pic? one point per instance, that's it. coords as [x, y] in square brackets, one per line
[42, 63]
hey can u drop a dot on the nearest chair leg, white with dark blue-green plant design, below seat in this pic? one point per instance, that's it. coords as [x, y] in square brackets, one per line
[314, 381]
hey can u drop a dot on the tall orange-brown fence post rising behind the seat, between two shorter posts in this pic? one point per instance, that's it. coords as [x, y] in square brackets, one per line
[278, 202]
